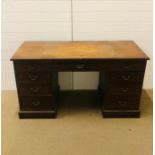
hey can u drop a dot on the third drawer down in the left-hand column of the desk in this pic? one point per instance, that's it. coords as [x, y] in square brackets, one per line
[34, 89]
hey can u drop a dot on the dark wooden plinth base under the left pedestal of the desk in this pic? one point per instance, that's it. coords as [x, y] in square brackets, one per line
[38, 114]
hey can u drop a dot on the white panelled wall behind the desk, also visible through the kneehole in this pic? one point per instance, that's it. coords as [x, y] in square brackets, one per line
[92, 20]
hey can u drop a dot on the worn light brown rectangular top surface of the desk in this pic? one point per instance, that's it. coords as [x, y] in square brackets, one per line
[38, 50]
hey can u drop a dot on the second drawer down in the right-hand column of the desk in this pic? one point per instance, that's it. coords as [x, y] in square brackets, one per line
[126, 77]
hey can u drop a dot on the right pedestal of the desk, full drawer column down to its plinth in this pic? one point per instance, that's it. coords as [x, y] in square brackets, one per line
[123, 88]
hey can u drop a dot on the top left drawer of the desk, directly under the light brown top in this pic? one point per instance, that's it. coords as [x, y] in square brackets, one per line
[32, 66]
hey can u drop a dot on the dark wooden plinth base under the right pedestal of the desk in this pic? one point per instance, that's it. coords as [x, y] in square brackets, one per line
[121, 114]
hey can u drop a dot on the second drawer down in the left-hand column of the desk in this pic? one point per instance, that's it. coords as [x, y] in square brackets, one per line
[35, 77]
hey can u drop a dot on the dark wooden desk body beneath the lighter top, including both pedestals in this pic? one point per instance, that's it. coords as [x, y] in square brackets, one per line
[119, 90]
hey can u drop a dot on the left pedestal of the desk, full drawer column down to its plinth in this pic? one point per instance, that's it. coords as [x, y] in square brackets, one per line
[36, 89]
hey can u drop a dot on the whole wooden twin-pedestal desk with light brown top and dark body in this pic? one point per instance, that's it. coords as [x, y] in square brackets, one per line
[121, 66]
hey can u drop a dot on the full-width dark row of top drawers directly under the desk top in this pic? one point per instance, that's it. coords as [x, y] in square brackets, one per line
[119, 65]
